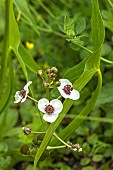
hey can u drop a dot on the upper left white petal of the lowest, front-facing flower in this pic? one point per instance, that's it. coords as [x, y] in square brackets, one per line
[42, 104]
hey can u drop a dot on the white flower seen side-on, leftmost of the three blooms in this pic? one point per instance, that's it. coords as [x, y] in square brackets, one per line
[20, 96]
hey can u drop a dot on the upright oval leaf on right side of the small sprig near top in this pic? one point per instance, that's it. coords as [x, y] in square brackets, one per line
[80, 26]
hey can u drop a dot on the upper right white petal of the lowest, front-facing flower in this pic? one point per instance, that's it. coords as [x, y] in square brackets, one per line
[57, 104]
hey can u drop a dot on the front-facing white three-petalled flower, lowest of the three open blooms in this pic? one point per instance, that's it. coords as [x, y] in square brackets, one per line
[51, 109]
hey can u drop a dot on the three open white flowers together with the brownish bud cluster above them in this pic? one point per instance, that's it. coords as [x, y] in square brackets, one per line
[51, 109]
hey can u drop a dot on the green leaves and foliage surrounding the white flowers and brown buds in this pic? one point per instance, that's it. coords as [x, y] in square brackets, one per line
[76, 37]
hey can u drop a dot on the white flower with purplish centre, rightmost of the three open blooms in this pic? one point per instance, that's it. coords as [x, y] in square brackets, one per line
[67, 91]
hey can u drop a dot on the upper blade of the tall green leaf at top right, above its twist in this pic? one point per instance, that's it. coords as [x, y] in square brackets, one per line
[97, 27]
